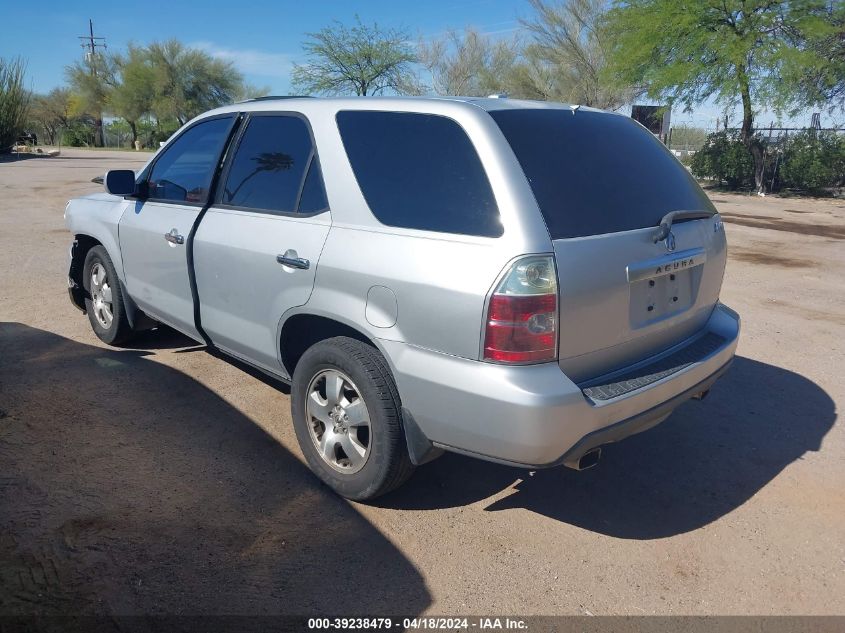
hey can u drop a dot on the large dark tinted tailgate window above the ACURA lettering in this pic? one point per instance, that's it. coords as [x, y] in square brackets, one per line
[595, 173]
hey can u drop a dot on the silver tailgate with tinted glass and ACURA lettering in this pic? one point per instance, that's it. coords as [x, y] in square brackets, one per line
[603, 183]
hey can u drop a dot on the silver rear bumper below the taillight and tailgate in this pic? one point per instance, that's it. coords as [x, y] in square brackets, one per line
[535, 415]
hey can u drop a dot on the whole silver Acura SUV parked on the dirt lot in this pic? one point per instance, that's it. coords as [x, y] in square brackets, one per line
[517, 281]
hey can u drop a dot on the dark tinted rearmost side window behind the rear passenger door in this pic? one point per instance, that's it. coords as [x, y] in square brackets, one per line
[419, 171]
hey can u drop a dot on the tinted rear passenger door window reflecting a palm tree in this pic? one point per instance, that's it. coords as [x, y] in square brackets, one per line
[274, 167]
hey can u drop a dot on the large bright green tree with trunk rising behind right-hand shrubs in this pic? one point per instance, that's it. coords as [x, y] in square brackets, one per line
[731, 50]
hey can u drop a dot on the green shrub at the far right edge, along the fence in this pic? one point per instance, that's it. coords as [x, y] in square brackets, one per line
[812, 161]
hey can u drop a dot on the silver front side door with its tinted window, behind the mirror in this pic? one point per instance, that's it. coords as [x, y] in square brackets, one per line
[154, 231]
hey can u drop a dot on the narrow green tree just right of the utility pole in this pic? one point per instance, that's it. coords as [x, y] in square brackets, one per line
[132, 94]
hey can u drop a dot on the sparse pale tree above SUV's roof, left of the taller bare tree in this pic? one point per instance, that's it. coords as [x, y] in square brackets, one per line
[474, 65]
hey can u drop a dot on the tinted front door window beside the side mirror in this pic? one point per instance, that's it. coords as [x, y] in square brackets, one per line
[183, 172]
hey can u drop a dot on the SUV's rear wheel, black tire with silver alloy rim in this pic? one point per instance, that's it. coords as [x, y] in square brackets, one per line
[384, 464]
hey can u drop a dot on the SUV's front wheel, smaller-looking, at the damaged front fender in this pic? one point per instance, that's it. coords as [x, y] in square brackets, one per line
[115, 330]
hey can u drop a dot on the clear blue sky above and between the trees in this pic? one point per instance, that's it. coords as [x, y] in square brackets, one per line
[262, 38]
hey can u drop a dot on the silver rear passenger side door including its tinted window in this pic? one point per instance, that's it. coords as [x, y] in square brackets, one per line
[256, 249]
